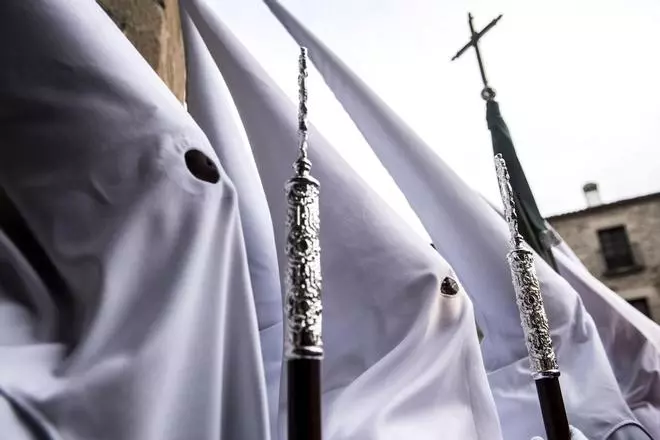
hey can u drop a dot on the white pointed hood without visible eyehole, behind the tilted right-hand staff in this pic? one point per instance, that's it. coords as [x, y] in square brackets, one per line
[474, 240]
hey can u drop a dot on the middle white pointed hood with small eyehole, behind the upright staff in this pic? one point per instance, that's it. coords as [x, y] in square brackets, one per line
[401, 358]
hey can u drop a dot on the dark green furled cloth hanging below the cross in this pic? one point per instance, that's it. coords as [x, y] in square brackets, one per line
[532, 225]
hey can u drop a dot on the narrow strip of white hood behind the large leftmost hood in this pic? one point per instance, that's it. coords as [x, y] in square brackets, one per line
[211, 105]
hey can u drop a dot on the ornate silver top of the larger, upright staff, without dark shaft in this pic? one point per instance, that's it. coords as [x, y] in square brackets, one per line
[302, 303]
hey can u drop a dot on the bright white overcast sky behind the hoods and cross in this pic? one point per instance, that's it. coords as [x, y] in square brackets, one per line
[578, 82]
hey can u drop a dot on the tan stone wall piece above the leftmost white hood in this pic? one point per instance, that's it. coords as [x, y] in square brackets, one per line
[154, 28]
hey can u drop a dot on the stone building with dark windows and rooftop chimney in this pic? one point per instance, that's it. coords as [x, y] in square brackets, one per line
[619, 243]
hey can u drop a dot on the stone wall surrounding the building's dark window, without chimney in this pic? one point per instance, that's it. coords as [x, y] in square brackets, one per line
[642, 221]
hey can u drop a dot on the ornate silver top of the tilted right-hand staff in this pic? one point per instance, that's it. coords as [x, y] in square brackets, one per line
[526, 284]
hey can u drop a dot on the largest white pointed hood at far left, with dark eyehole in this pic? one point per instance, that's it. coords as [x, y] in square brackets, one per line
[93, 154]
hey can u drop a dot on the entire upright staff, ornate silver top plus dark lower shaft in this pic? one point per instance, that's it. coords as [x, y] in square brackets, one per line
[302, 302]
